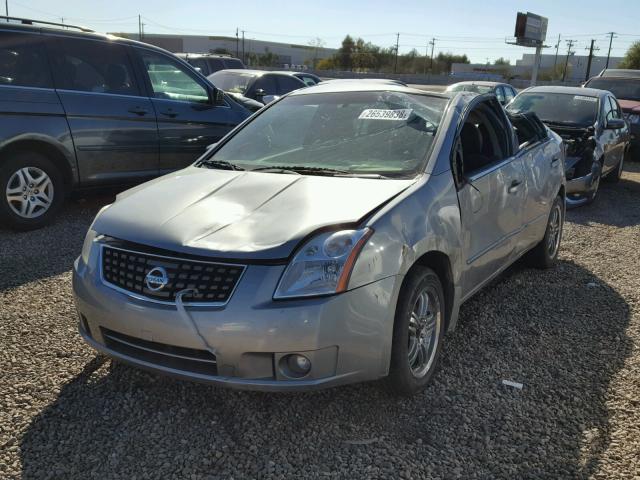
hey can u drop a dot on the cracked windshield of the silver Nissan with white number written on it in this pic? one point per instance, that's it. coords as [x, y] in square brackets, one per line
[387, 133]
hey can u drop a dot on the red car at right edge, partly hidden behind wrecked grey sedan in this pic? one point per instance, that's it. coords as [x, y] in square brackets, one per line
[625, 85]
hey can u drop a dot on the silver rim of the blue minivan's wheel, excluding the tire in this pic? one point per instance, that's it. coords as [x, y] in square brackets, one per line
[29, 192]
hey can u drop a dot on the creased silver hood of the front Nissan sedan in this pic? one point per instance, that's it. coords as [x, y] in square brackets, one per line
[240, 215]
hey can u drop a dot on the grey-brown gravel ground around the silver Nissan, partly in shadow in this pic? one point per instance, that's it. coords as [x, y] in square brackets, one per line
[571, 335]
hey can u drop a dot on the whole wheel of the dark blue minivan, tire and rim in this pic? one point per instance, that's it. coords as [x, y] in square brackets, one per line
[34, 176]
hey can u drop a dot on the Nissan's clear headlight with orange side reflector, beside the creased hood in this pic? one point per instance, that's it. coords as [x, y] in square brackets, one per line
[323, 265]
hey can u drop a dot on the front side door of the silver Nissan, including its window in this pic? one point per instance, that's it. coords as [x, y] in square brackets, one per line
[492, 196]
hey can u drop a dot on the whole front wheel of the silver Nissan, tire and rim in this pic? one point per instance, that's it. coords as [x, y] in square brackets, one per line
[418, 331]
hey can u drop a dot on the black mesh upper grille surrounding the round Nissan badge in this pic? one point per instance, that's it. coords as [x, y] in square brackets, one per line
[127, 270]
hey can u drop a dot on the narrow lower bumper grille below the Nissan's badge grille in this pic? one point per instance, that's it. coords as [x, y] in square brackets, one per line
[162, 354]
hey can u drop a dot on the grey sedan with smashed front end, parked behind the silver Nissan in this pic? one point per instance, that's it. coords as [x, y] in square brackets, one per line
[594, 131]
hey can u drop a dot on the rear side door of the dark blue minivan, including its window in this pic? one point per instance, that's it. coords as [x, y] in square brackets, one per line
[112, 122]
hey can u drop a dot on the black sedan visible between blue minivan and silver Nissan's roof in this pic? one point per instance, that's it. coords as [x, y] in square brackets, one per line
[255, 88]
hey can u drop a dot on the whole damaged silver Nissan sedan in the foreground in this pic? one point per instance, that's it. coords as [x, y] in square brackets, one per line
[329, 239]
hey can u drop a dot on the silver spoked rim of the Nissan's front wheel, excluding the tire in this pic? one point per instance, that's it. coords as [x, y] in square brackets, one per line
[424, 331]
